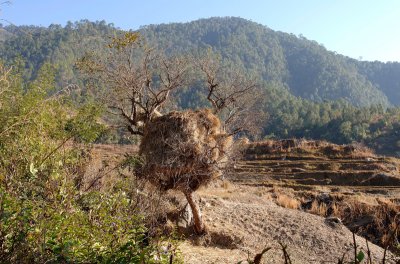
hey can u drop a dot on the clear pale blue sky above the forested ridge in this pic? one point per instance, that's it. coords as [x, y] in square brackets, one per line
[361, 29]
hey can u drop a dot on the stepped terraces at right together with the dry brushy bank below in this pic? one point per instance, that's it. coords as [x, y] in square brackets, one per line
[349, 182]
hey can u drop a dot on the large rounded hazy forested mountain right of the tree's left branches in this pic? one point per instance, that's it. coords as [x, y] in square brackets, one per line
[304, 66]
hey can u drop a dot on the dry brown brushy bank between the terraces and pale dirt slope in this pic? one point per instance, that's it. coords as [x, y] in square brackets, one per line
[374, 218]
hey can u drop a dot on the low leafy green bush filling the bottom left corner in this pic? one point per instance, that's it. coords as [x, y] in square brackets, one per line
[103, 231]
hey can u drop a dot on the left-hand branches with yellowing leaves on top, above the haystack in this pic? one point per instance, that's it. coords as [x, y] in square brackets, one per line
[139, 80]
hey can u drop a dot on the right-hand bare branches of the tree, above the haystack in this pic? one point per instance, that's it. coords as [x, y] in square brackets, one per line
[234, 96]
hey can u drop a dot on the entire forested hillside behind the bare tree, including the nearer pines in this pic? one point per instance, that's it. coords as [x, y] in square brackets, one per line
[309, 91]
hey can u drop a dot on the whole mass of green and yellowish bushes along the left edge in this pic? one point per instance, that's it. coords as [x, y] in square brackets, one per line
[44, 217]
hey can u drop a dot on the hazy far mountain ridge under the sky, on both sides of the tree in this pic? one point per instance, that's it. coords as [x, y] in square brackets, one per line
[302, 66]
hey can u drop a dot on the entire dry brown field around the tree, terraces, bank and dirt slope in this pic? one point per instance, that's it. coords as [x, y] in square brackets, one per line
[289, 192]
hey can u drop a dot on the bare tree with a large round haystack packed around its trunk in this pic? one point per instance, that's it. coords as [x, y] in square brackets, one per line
[181, 150]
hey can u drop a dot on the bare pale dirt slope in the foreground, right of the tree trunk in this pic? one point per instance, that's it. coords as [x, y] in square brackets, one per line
[239, 221]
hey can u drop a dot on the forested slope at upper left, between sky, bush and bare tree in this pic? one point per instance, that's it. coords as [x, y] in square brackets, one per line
[58, 45]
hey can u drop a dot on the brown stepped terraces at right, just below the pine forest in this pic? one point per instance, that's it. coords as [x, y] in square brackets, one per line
[305, 166]
